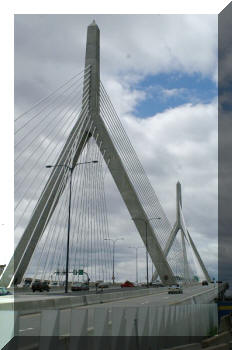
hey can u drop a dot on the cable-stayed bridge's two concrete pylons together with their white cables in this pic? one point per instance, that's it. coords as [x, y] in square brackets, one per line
[77, 131]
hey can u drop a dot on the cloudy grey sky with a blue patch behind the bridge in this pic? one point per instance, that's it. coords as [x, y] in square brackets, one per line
[160, 72]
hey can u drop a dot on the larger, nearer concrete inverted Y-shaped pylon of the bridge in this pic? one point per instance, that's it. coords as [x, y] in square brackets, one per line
[51, 194]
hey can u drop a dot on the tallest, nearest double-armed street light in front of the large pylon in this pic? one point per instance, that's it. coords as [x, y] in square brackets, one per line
[69, 213]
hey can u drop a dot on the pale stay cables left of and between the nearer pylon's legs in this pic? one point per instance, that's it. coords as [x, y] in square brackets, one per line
[40, 135]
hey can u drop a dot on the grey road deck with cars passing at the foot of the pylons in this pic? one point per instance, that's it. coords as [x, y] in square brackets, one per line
[158, 296]
